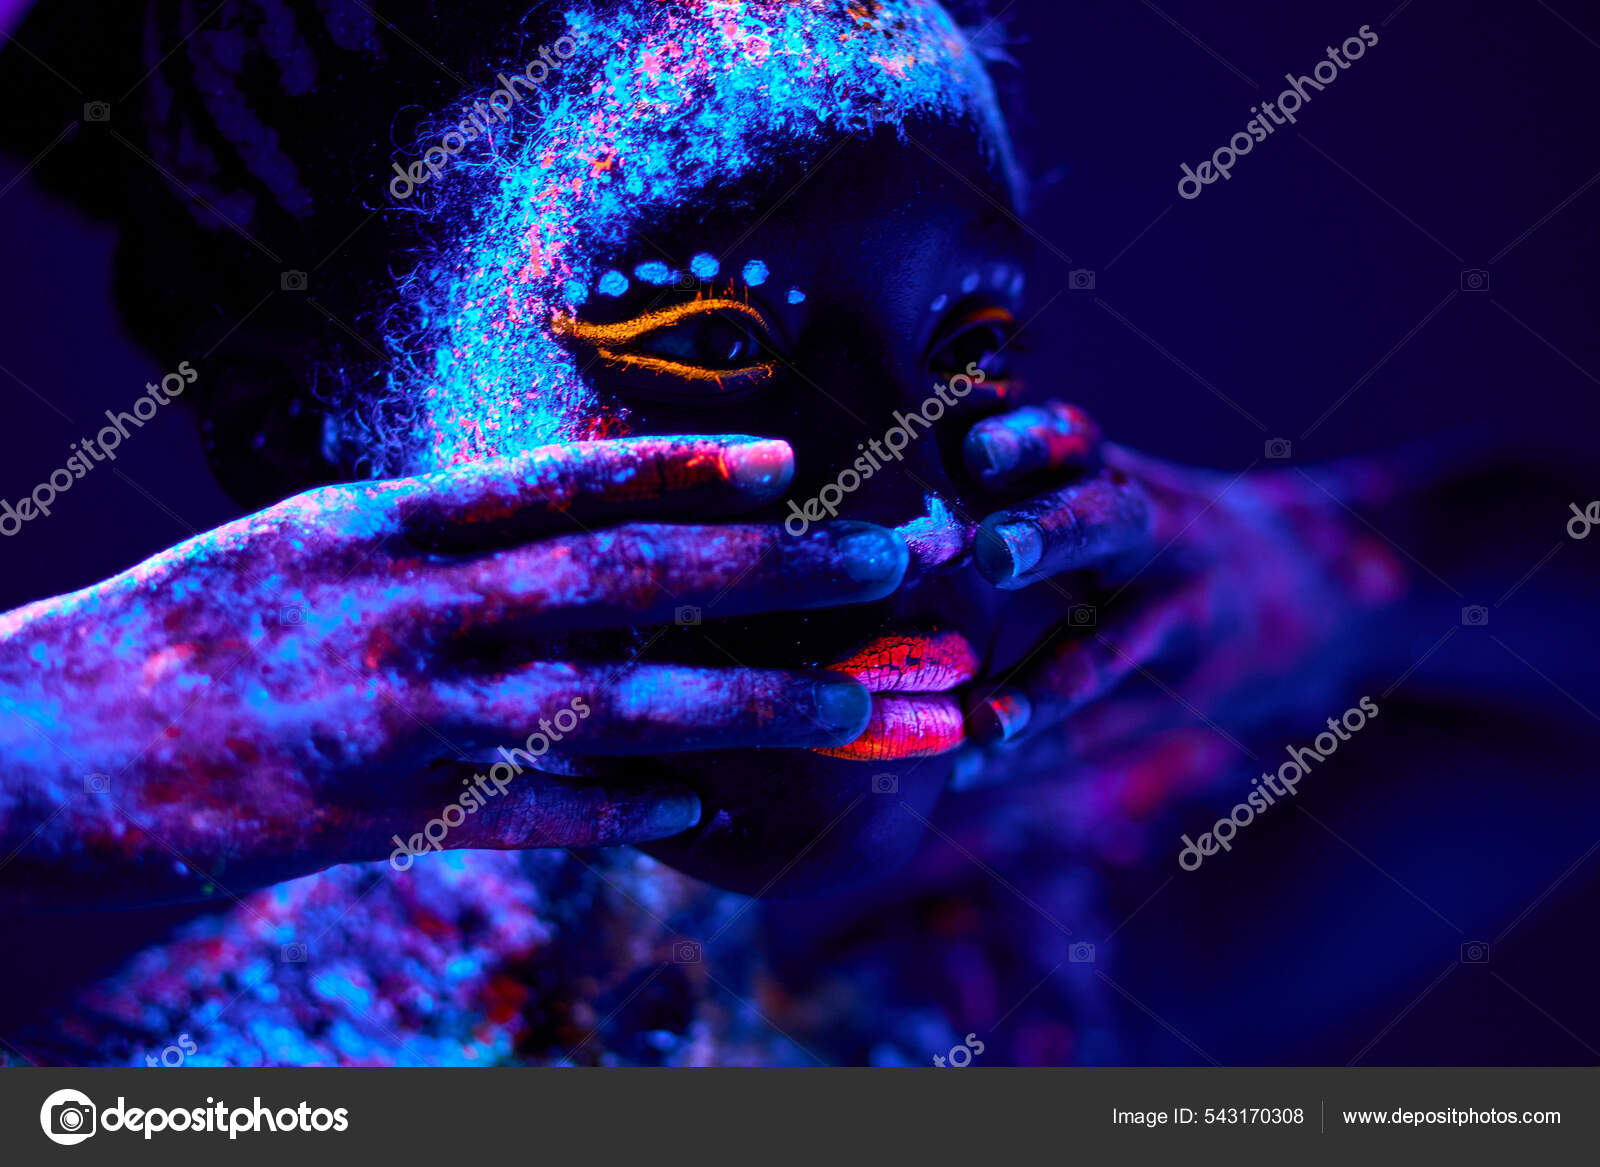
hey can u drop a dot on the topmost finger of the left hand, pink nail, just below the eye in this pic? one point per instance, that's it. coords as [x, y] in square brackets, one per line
[593, 484]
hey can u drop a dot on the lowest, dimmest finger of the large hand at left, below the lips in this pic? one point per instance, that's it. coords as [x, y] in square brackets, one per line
[505, 809]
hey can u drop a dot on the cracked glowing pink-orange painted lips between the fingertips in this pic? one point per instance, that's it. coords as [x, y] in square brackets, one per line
[914, 713]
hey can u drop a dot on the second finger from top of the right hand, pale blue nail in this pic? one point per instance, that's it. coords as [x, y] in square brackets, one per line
[1087, 524]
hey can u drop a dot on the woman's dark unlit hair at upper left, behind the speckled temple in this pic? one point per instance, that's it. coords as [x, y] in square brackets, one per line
[238, 151]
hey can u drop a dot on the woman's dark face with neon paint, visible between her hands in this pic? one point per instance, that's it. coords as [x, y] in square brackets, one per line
[790, 222]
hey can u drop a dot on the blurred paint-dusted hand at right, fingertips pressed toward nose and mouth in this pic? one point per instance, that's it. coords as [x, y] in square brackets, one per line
[1222, 590]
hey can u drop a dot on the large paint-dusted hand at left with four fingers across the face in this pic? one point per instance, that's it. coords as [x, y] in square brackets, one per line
[305, 686]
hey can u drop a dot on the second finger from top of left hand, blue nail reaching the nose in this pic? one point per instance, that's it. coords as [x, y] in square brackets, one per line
[641, 574]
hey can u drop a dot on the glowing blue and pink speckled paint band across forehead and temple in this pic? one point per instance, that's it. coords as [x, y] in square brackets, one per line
[666, 103]
